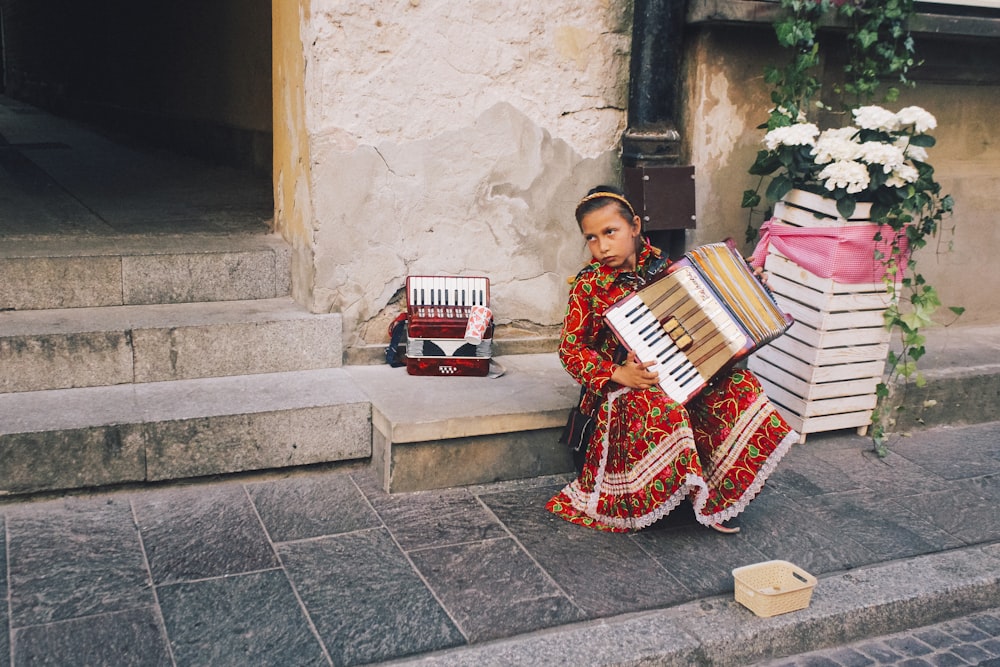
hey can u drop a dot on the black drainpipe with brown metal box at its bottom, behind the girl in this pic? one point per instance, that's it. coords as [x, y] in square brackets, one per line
[659, 186]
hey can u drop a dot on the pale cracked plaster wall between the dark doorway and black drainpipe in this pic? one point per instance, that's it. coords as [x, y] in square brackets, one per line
[456, 138]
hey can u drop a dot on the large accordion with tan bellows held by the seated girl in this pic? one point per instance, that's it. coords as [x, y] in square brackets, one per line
[706, 313]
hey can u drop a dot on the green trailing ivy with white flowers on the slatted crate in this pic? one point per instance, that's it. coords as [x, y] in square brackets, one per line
[880, 157]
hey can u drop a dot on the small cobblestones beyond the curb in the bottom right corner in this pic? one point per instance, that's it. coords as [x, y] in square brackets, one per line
[969, 640]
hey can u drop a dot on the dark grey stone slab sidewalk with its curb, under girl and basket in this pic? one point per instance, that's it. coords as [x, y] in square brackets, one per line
[320, 566]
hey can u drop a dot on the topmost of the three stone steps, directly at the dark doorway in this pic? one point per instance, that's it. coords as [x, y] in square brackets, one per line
[92, 271]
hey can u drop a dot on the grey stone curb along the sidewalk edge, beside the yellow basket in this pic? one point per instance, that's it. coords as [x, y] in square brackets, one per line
[845, 607]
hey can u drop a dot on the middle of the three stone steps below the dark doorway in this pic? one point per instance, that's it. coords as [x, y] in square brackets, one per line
[87, 347]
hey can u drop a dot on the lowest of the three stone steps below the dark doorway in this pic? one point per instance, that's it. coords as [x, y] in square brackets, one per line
[76, 438]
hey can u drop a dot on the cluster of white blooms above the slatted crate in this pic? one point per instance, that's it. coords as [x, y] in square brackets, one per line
[847, 158]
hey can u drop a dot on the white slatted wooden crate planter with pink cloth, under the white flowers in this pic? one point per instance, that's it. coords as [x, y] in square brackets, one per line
[822, 374]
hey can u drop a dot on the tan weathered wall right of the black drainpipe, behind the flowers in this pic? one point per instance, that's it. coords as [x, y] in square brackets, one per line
[727, 99]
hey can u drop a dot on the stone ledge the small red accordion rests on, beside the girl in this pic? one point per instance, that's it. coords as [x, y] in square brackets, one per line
[438, 432]
